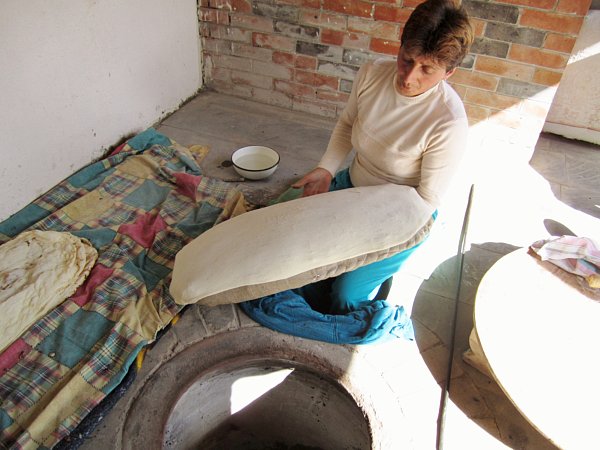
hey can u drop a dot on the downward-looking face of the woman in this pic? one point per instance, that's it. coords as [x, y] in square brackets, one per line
[417, 74]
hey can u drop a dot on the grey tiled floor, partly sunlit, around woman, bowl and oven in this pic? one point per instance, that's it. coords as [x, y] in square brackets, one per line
[515, 203]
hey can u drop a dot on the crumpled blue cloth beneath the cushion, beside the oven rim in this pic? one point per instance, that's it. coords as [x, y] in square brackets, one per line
[289, 312]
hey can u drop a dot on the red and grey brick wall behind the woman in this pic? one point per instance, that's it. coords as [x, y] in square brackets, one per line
[304, 54]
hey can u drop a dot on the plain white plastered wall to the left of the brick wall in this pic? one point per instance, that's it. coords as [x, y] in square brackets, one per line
[78, 76]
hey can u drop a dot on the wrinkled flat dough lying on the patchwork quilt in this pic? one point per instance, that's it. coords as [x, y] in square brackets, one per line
[38, 271]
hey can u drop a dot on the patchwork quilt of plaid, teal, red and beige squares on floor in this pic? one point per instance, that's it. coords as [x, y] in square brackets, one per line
[138, 208]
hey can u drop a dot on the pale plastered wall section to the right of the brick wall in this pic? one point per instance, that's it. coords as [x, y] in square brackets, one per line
[575, 111]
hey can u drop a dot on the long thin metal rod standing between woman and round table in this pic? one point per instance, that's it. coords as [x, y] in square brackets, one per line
[460, 258]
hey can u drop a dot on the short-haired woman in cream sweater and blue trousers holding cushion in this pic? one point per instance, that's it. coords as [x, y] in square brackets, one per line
[407, 126]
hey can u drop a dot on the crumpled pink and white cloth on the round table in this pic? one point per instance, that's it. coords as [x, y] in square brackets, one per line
[577, 255]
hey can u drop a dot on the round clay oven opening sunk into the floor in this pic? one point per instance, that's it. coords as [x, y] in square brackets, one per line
[266, 405]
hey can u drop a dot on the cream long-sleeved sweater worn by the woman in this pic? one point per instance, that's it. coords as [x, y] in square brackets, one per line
[414, 141]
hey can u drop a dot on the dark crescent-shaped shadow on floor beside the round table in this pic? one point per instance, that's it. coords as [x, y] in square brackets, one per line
[477, 395]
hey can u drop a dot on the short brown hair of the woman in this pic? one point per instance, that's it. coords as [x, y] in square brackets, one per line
[438, 29]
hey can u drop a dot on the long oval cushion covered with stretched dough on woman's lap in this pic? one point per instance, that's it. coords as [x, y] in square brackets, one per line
[291, 244]
